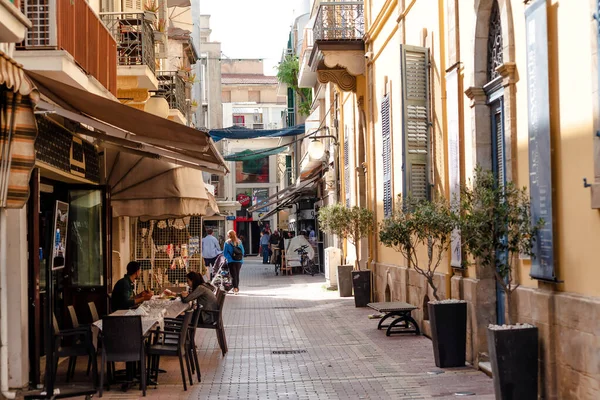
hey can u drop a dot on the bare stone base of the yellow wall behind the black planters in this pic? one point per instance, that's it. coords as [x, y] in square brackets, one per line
[569, 325]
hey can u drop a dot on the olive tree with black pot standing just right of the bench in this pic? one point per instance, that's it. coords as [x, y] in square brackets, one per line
[421, 232]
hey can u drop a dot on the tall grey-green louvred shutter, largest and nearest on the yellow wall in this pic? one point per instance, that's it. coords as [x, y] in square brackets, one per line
[416, 124]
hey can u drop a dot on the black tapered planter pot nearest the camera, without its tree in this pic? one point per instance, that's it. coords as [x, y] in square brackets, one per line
[514, 359]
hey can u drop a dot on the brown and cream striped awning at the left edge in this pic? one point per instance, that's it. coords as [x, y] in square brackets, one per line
[18, 130]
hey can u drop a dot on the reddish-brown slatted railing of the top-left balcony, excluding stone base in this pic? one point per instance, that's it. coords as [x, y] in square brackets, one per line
[72, 26]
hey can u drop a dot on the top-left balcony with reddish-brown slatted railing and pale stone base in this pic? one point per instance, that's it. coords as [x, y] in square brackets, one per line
[68, 42]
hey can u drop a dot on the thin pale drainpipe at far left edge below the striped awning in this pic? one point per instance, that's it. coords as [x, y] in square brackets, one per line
[4, 309]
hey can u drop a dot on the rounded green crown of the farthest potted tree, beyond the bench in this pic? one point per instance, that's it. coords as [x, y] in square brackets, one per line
[352, 223]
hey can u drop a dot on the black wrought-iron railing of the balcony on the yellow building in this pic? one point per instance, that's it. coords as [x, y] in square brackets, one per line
[342, 20]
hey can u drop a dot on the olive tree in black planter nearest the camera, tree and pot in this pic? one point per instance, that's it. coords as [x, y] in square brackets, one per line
[496, 228]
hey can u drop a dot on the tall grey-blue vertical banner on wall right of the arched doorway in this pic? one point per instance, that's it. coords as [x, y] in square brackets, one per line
[540, 146]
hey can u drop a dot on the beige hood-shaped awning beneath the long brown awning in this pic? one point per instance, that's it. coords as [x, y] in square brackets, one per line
[153, 189]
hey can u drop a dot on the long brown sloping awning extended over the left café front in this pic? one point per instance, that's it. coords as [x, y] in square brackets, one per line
[130, 129]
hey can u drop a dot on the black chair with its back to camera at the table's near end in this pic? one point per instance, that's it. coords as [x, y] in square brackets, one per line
[123, 341]
